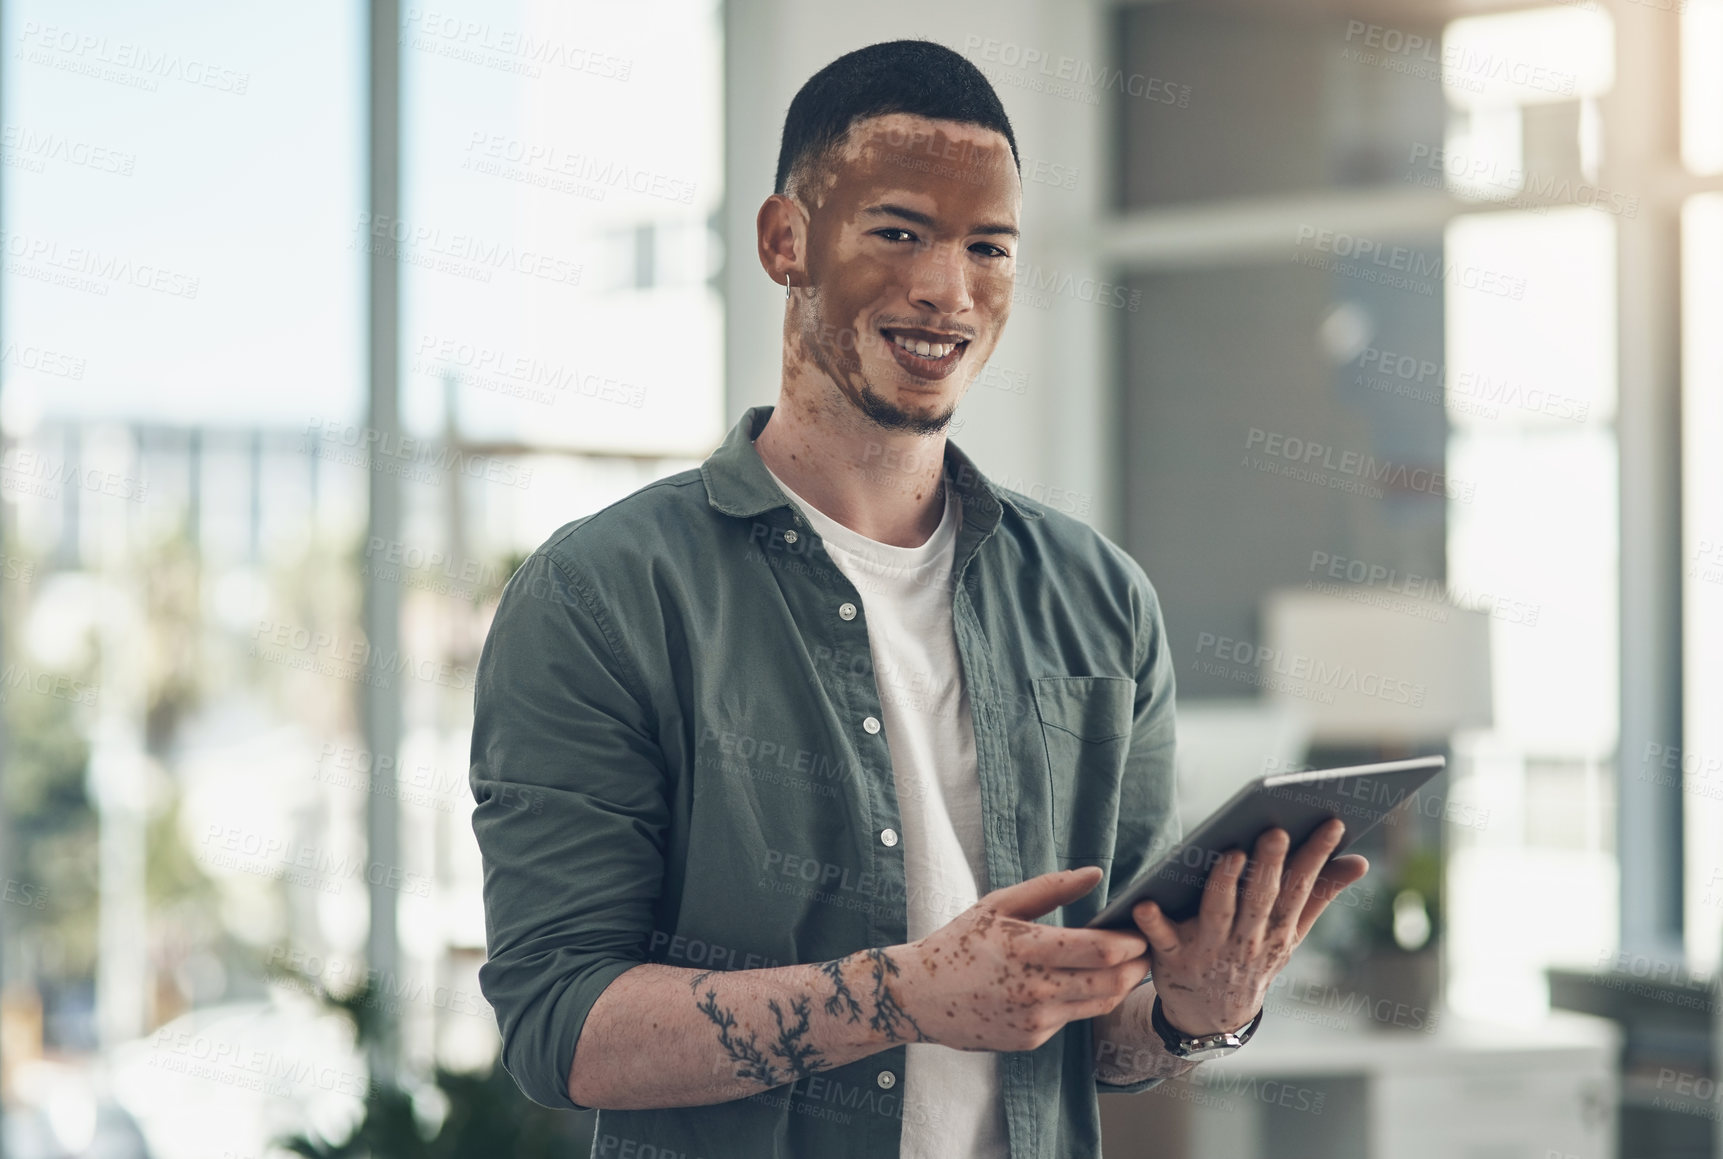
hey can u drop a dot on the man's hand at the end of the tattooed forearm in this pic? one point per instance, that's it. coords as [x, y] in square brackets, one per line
[993, 979]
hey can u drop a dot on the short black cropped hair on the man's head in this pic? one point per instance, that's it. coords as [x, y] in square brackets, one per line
[914, 77]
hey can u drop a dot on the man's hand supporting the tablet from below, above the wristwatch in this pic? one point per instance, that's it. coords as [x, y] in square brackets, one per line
[1214, 970]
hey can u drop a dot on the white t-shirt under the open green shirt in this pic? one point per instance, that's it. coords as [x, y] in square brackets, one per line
[952, 1100]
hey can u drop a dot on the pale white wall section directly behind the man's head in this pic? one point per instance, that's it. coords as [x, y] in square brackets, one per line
[1061, 431]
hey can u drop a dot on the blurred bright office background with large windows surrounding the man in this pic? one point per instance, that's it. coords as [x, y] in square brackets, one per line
[1386, 335]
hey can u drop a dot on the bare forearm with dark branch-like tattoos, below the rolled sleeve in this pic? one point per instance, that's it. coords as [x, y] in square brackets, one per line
[673, 1038]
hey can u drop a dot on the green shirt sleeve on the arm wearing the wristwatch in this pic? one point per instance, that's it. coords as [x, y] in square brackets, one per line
[1148, 805]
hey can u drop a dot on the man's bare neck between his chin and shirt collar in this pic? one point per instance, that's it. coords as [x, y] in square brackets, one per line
[883, 485]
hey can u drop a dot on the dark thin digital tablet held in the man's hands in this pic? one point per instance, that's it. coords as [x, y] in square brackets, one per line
[1300, 803]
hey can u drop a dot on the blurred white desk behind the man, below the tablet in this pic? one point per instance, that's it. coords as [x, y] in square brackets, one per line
[1359, 1091]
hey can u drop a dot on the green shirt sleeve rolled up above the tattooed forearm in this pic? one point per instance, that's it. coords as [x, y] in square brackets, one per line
[571, 819]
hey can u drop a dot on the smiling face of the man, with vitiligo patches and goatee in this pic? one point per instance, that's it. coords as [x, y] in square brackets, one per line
[912, 247]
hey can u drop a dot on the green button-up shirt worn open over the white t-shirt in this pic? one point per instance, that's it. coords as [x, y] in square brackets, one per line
[671, 765]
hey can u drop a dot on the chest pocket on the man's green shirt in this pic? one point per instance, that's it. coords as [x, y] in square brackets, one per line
[1086, 731]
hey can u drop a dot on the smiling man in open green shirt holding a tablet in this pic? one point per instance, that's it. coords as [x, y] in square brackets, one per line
[780, 764]
